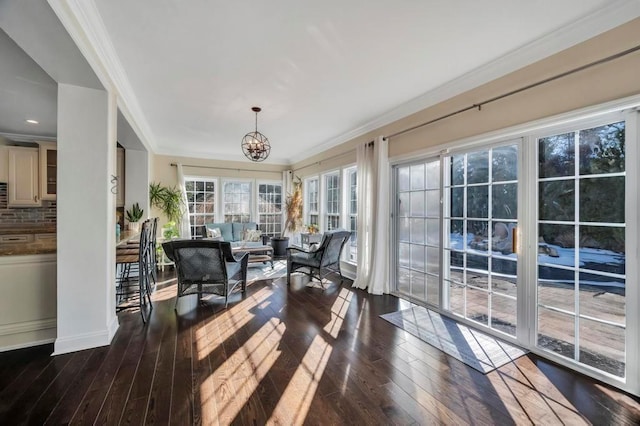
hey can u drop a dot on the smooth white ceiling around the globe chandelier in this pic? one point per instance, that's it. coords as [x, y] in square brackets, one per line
[322, 72]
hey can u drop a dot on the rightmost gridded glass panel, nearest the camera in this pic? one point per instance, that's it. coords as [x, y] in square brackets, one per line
[582, 247]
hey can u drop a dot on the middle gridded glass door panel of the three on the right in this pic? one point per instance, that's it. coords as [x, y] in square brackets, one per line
[480, 222]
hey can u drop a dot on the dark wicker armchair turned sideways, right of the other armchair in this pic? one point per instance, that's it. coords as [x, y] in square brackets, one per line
[320, 260]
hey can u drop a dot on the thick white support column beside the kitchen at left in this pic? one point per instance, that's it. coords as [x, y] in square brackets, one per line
[86, 218]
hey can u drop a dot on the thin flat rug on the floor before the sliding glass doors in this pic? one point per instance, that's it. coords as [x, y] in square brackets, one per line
[478, 350]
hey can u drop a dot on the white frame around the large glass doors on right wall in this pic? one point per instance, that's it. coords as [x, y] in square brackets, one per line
[527, 216]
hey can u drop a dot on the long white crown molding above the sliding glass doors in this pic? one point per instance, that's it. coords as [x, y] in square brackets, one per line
[615, 13]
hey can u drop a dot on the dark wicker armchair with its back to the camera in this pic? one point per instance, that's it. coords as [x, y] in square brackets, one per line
[205, 266]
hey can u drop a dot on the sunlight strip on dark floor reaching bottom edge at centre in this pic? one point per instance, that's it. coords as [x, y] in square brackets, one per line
[298, 395]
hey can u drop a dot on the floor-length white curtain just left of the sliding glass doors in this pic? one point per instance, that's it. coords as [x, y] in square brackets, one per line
[373, 217]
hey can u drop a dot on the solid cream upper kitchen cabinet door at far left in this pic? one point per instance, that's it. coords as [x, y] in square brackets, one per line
[23, 177]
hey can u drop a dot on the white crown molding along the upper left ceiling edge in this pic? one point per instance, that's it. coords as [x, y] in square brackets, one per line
[82, 21]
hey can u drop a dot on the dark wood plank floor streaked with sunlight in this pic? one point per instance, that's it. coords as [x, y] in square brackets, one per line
[288, 356]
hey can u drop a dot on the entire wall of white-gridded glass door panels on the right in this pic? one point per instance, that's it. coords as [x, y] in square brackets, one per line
[567, 195]
